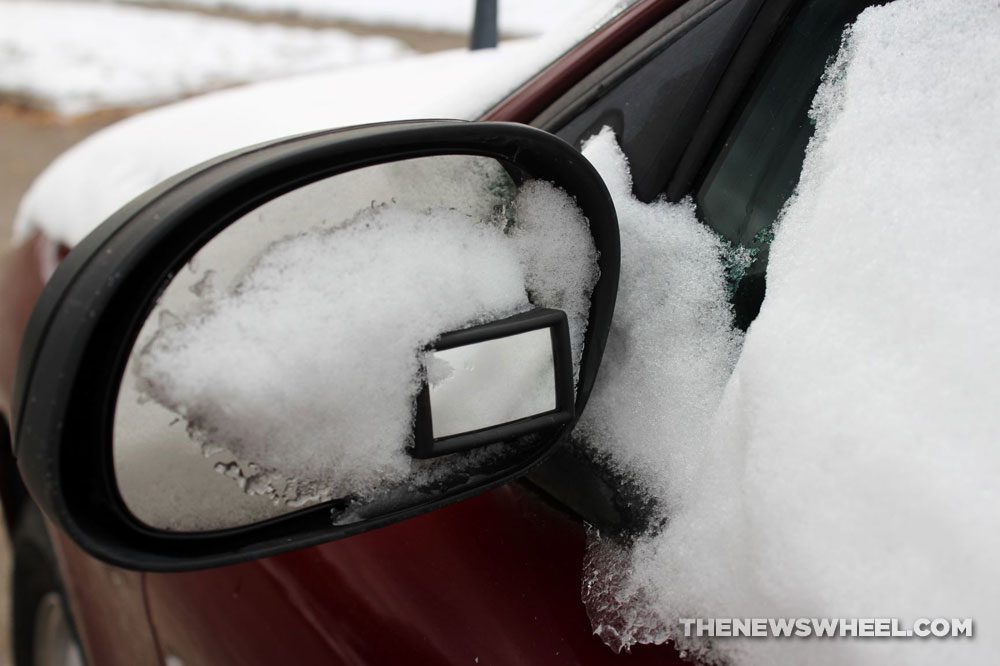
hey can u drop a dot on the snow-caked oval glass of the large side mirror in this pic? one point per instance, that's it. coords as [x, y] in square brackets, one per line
[282, 366]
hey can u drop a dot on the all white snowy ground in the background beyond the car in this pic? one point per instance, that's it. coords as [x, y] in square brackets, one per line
[75, 57]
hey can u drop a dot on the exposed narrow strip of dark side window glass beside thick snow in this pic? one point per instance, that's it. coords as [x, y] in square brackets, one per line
[757, 165]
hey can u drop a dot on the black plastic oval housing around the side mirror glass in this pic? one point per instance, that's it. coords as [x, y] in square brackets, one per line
[78, 339]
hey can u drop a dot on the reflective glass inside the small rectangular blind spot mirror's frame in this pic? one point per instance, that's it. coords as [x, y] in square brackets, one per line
[493, 382]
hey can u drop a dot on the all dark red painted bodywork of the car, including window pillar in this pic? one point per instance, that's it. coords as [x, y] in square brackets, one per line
[491, 580]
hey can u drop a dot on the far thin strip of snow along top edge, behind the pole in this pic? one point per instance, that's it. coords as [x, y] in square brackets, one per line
[516, 17]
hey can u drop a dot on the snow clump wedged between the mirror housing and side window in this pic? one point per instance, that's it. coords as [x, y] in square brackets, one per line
[672, 345]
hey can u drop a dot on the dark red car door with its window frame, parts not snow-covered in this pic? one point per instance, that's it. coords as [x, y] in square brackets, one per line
[711, 102]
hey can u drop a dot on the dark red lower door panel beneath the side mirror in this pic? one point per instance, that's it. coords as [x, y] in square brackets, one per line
[494, 579]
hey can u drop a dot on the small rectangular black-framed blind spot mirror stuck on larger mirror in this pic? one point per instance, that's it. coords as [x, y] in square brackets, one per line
[495, 381]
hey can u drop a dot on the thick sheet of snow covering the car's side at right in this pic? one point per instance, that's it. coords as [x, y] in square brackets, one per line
[851, 467]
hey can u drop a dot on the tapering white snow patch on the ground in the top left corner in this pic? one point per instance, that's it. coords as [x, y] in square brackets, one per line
[76, 57]
